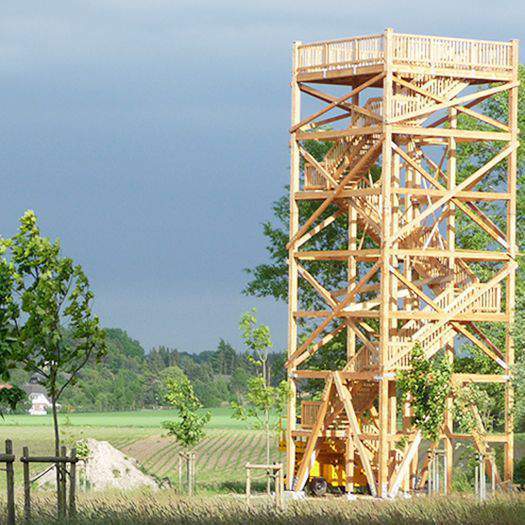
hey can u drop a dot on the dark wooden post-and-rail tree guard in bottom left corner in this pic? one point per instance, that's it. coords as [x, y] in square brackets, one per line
[59, 463]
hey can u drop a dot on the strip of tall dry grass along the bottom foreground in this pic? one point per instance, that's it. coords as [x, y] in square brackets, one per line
[166, 507]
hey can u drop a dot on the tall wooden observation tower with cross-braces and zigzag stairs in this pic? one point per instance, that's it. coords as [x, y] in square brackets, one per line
[389, 110]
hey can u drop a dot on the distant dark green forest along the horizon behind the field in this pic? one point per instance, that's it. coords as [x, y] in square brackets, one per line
[130, 378]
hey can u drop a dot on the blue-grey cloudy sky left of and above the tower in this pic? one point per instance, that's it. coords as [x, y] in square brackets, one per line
[151, 137]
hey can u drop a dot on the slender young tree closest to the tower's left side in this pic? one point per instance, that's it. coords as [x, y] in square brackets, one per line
[261, 399]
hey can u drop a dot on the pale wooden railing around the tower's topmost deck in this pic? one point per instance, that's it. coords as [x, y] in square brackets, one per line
[417, 50]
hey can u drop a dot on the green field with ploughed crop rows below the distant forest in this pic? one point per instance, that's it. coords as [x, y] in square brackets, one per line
[221, 456]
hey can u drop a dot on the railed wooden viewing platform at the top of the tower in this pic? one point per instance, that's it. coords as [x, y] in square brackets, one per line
[338, 61]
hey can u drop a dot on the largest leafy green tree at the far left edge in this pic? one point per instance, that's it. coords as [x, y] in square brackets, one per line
[47, 322]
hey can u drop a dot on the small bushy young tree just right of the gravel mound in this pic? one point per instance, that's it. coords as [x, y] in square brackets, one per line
[188, 430]
